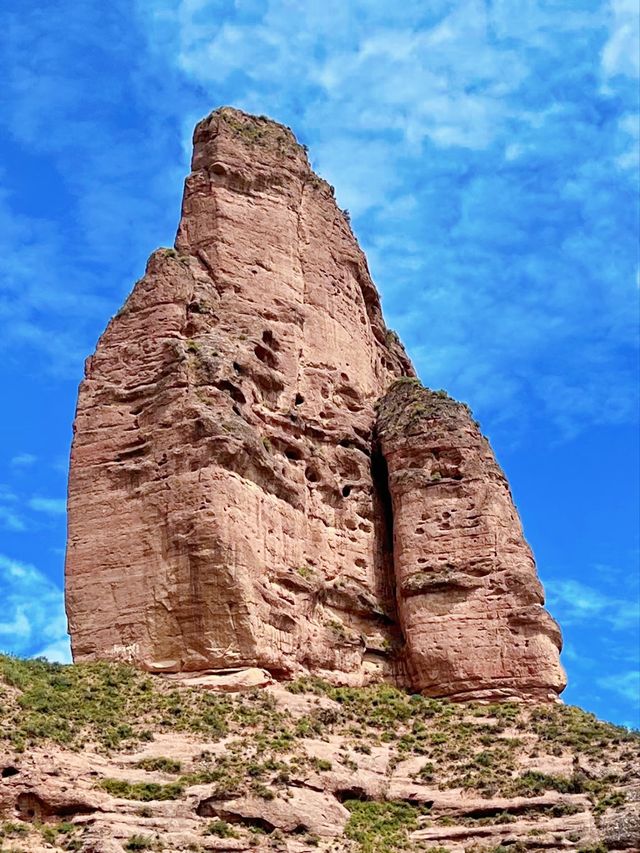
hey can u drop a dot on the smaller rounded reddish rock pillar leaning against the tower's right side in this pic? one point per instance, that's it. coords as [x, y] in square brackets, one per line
[469, 600]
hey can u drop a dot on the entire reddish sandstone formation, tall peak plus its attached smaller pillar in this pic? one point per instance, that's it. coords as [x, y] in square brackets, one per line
[228, 498]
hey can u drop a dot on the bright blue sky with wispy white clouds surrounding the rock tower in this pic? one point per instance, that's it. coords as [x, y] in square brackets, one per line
[488, 154]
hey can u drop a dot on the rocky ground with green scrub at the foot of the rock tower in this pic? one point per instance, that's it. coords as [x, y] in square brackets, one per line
[101, 758]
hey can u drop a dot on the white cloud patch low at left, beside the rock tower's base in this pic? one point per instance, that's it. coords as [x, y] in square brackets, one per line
[33, 619]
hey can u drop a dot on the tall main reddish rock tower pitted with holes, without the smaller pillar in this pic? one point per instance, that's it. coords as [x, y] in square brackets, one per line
[221, 504]
